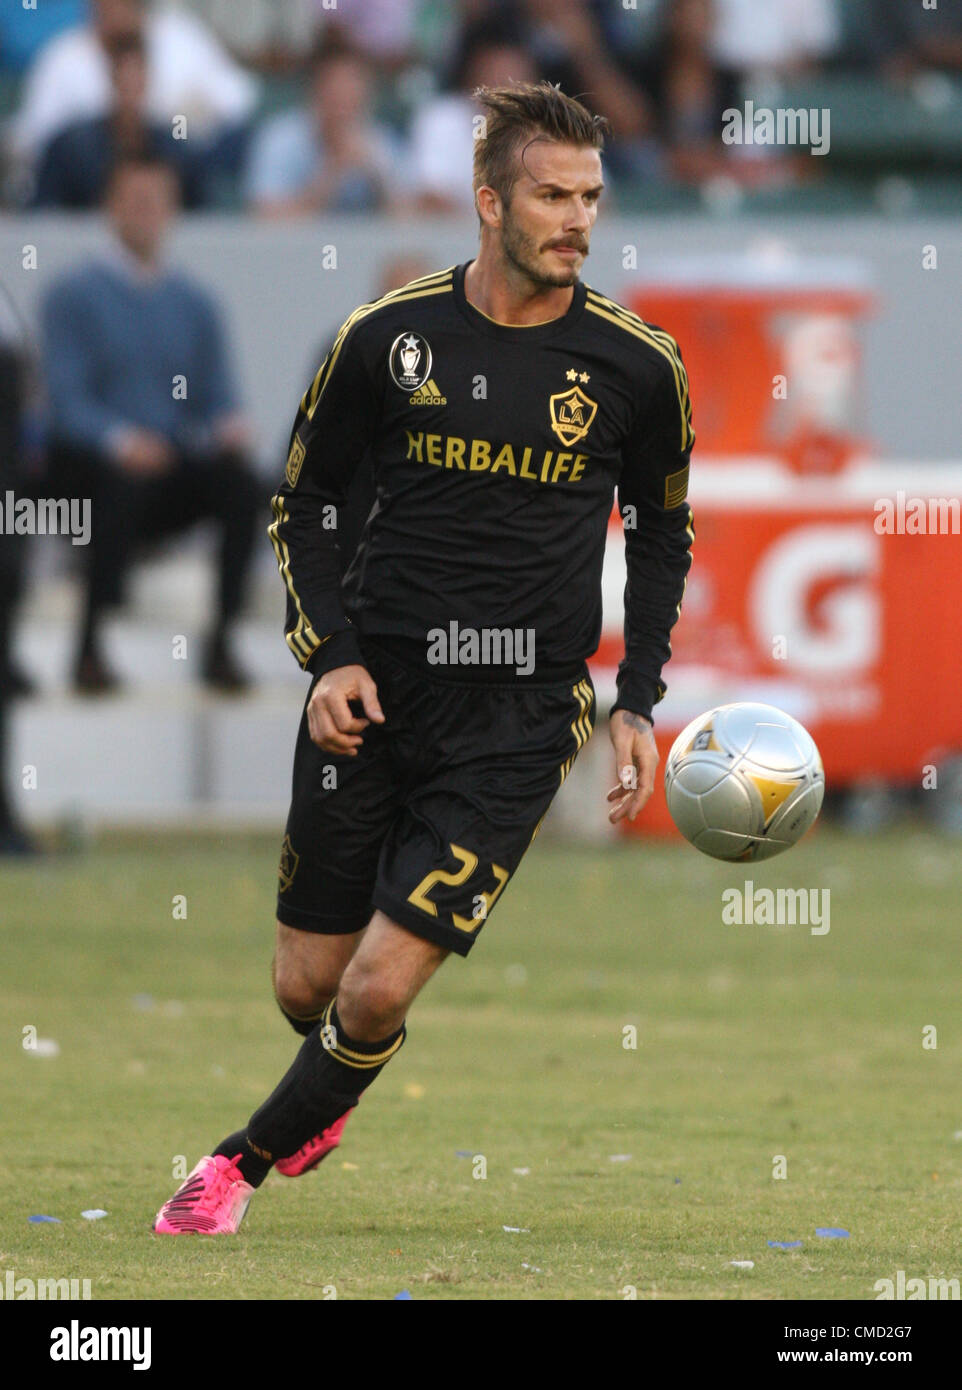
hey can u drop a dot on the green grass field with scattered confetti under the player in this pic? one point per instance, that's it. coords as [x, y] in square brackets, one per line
[649, 1168]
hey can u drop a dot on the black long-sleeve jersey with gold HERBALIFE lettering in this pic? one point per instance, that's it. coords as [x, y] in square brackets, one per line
[496, 452]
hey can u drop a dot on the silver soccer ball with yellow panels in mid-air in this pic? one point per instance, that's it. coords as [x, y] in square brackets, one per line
[744, 782]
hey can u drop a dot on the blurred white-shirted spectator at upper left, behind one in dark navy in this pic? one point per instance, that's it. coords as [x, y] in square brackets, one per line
[190, 76]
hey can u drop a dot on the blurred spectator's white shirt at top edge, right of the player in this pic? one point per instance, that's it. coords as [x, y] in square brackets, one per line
[774, 38]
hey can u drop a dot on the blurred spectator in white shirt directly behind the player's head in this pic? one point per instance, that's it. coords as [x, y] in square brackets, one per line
[443, 133]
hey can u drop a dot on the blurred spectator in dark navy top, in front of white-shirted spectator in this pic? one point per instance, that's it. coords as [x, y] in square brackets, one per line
[76, 166]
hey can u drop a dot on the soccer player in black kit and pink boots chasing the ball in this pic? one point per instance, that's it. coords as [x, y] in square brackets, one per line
[503, 401]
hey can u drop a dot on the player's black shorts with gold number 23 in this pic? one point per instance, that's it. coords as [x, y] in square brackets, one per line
[433, 817]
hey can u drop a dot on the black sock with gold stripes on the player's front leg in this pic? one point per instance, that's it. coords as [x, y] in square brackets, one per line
[326, 1079]
